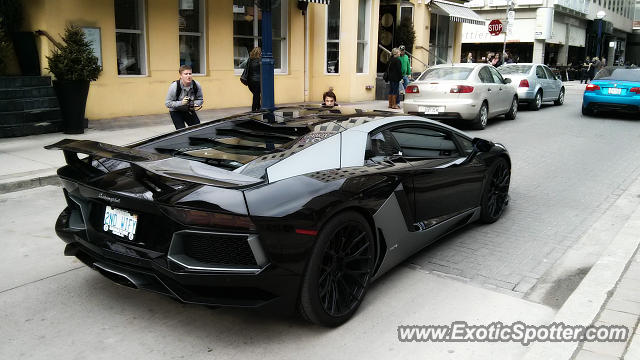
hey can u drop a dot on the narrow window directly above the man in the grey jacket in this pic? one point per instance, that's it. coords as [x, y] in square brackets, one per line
[191, 33]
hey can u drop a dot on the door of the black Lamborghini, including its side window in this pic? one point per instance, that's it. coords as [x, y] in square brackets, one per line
[443, 185]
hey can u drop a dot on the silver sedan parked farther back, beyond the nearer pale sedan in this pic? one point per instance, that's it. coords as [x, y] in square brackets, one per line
[535, 83]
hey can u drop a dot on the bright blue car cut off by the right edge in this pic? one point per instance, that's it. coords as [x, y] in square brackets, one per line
[613, 89]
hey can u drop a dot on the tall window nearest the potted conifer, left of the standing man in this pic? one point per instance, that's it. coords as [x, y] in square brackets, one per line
[130, 37]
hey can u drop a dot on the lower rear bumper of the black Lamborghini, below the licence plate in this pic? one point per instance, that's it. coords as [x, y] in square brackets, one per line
[272, 288]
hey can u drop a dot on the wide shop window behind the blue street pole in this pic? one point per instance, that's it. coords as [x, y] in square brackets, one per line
[247, 32]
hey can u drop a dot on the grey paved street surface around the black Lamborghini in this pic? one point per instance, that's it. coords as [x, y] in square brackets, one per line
[568, 171]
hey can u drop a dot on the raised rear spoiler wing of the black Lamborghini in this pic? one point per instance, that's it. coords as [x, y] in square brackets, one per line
[159, 164]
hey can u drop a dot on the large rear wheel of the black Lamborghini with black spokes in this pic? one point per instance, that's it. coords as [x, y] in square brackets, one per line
[339, 270]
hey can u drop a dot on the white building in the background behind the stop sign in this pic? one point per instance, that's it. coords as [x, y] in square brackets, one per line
[554, 32]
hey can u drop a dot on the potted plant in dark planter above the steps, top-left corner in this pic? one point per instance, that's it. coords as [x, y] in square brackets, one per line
[24, 42]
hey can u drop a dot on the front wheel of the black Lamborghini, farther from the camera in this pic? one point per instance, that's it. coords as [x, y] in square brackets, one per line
[495, 194]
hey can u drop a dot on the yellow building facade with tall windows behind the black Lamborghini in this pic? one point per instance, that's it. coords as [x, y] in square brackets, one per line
[317, 45]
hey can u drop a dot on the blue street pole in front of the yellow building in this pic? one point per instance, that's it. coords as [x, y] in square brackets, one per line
[268, 102]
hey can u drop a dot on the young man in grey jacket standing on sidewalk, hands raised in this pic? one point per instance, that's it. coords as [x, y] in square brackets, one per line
[183, 98]
